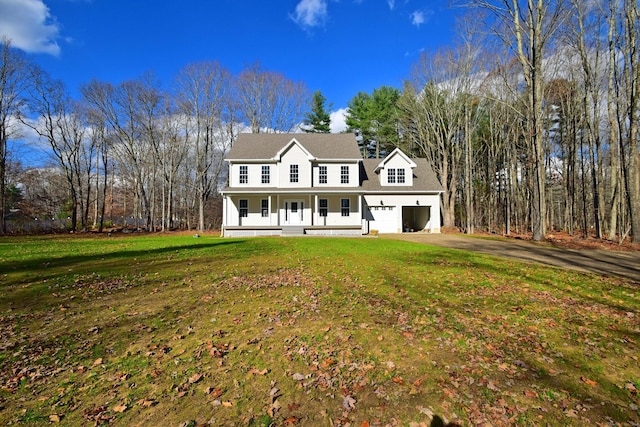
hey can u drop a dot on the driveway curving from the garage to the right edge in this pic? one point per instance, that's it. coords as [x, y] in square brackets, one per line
[608, 263]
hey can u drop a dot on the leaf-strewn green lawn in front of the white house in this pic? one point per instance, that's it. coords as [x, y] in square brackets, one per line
[174, 330]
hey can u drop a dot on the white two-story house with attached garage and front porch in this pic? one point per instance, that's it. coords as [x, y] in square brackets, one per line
[319, 184]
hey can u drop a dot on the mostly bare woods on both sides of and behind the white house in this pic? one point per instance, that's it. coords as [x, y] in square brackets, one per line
[530, 121]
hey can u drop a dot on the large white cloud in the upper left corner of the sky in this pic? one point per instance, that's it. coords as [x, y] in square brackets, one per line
[29, 26]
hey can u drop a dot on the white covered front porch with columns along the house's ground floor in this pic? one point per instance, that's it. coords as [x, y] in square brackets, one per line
[290, 213]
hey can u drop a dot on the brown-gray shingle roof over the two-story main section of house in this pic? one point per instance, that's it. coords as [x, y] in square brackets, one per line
[255, 146]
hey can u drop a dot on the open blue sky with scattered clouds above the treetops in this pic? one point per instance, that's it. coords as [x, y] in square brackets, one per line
[340, 47]
